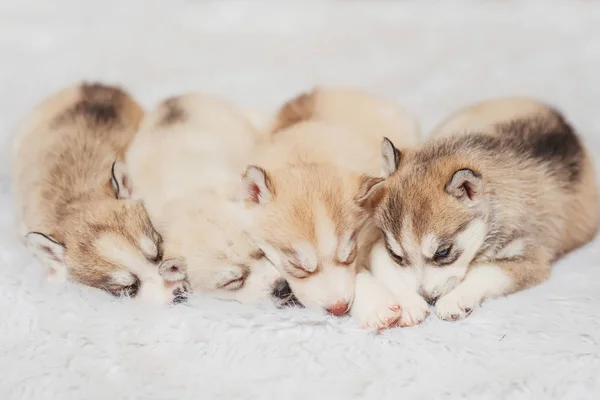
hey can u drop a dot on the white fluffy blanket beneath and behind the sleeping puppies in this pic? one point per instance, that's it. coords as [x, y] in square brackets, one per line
[76, 343]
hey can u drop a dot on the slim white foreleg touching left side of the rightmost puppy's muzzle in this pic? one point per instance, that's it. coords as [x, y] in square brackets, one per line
[403, 282]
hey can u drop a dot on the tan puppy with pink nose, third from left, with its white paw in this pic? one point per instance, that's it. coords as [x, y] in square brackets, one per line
[310, 196]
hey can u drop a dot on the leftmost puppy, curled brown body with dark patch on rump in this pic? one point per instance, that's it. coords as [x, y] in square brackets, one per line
[71, 190]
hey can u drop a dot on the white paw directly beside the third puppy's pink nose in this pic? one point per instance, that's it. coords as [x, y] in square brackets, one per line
[374, 306]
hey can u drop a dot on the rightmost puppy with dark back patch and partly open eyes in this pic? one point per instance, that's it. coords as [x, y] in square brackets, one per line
[484, 209]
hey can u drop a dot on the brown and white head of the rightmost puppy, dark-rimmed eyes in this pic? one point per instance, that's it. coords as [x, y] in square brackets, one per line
[433, 216]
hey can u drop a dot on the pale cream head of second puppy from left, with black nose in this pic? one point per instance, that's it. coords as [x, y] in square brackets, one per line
[223, 261]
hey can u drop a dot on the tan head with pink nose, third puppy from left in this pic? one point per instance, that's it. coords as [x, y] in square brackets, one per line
[307, 219]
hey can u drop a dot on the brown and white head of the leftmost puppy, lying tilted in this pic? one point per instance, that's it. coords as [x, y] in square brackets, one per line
[111, 244]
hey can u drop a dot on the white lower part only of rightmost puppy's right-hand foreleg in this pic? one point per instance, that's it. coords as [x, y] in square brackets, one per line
[482, 281]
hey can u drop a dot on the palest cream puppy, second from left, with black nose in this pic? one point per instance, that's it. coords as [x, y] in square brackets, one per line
[186, 162]
